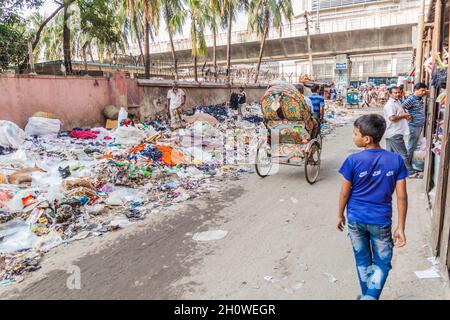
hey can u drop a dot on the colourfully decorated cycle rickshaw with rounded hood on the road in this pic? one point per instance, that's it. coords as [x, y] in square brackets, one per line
[293, 134]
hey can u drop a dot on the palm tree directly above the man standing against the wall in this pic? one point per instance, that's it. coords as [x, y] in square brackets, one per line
[174, 17]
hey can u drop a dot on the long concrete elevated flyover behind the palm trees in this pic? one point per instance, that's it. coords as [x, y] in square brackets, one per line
[354, 35]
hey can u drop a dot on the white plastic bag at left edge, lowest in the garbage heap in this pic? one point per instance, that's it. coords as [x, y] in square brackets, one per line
[16, 236]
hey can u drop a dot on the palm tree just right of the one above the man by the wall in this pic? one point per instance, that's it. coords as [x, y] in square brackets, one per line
[199, 15]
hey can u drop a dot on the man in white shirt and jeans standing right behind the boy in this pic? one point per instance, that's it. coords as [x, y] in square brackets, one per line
[396, 125]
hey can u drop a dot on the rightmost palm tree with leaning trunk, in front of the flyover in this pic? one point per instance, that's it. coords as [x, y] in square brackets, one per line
[262, 14]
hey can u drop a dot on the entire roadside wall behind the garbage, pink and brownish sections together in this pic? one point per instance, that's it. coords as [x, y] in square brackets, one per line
[79, 101]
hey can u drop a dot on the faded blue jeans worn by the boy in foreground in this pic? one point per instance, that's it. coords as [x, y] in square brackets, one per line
[373, 247]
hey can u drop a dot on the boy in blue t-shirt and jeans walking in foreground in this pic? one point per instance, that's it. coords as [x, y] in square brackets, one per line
[370, 179]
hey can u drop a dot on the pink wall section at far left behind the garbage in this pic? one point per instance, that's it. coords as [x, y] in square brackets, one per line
[78, 102]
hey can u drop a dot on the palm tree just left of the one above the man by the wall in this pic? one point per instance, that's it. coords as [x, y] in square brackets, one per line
[151, 20]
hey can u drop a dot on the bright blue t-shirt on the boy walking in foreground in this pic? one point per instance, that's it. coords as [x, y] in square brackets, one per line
[374, 174]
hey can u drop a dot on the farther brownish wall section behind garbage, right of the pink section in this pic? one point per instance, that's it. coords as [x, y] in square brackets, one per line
[155, 93]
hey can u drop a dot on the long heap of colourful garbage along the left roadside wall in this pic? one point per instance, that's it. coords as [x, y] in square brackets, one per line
[58, 186]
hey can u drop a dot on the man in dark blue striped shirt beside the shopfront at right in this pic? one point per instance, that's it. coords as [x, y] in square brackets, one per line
[414, 105]
